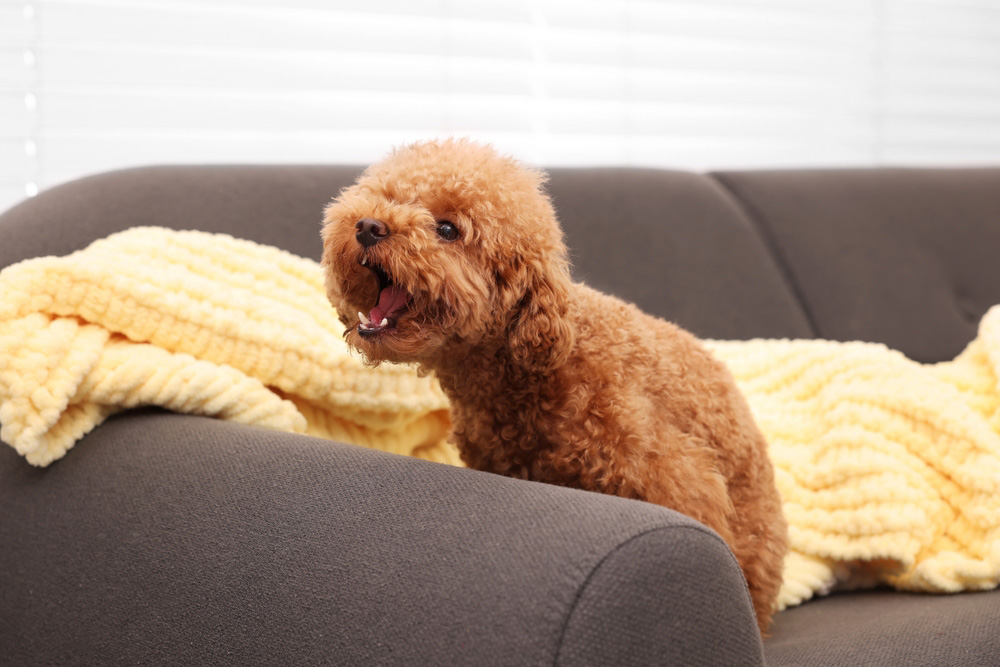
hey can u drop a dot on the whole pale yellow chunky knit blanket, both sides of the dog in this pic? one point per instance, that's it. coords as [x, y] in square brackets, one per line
[889, 470]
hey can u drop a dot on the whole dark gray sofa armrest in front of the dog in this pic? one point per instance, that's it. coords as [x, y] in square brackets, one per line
[165, 538]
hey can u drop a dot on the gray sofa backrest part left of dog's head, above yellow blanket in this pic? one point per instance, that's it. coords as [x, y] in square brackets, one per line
[278, 205]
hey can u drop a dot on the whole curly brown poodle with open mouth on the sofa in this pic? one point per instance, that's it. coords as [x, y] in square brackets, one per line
[449, 255]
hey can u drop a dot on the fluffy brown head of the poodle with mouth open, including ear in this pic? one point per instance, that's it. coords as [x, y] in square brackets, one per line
[445, 244]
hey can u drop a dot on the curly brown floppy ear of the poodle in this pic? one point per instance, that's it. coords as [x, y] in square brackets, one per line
[540, 335]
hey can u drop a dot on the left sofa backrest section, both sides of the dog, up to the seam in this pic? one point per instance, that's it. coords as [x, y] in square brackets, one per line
[673, 242]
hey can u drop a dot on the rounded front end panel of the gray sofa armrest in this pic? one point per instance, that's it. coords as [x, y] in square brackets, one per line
[626, 615]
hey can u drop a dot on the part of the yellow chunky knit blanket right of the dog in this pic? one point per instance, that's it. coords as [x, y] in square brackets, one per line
[889, 470]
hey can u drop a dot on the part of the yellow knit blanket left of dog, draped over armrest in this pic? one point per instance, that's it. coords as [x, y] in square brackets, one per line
[198, 323]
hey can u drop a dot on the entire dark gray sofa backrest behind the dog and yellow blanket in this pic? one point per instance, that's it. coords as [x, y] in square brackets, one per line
[904, 257]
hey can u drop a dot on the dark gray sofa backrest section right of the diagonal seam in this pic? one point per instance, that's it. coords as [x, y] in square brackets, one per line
[905, 257]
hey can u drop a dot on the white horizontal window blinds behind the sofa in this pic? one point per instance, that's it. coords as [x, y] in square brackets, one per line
[91, 85]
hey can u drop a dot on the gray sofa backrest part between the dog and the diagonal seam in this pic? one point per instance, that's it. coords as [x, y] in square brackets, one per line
[673, 243]
